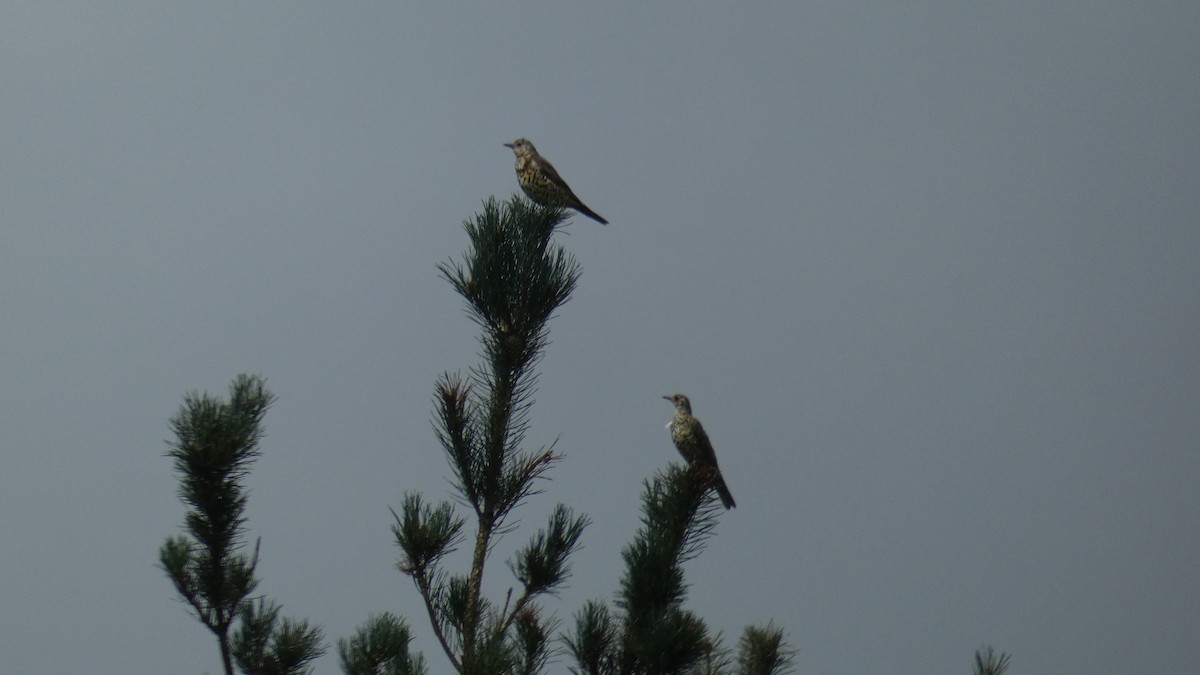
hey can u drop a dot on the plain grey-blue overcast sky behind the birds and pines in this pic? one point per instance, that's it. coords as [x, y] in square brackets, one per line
[929, 272]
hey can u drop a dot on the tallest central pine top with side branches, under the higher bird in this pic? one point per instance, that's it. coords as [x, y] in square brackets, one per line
[513, 279]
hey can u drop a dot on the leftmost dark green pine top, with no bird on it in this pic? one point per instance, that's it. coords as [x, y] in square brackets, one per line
[215, 445]
